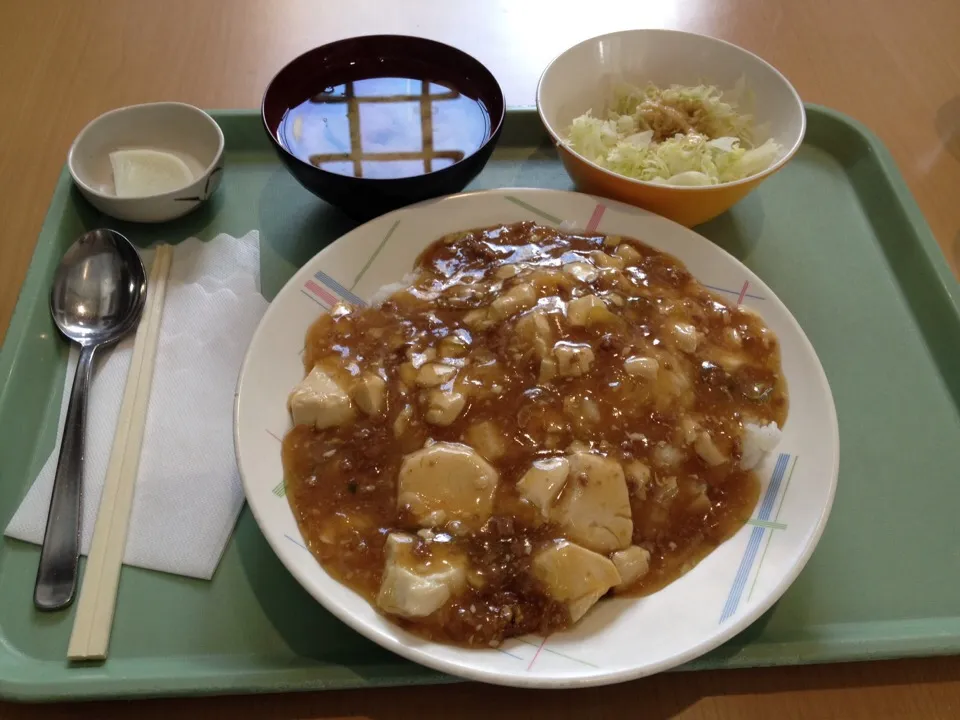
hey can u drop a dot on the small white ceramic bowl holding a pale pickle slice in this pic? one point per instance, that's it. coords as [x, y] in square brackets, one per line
[177, 128]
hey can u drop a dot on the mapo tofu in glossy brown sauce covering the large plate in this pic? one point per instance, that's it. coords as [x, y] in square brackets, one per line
[537, 420]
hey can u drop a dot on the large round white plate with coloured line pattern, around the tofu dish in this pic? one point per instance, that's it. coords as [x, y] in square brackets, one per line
[619, 639]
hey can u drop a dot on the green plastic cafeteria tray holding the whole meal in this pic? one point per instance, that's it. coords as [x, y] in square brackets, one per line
[836, 234]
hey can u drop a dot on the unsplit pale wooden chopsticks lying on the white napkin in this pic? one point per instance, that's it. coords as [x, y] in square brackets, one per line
[98, 593]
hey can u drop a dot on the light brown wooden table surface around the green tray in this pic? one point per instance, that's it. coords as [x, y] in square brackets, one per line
[894, 65]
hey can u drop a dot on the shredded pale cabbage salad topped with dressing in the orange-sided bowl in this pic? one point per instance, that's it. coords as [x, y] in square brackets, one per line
[673, 136]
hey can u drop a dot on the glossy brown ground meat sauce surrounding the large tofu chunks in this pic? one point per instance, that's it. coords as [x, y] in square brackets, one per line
[720, 369]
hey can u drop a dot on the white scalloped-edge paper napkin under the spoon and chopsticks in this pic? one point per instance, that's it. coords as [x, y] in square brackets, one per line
[188, 492]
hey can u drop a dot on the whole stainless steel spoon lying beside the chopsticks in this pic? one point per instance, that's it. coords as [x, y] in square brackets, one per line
[97, 297]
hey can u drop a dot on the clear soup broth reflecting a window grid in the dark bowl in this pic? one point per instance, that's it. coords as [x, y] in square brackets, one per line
[385, 127]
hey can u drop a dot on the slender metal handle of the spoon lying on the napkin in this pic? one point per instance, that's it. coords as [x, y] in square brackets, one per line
[57, 574]
